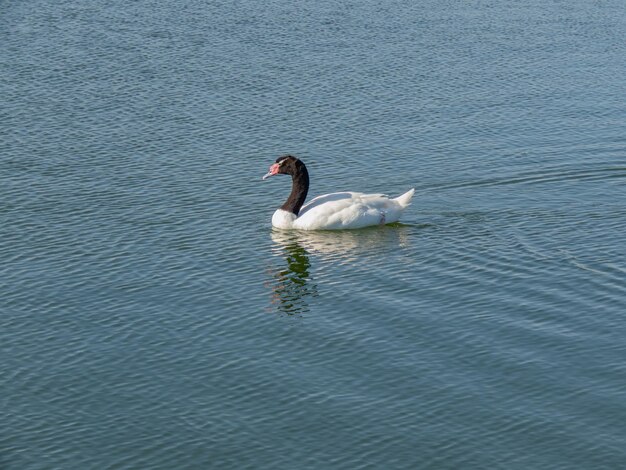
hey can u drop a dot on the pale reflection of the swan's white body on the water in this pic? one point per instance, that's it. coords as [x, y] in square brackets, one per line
[345, 243]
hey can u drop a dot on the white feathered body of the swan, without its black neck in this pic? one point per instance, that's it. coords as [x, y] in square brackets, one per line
[346, 210]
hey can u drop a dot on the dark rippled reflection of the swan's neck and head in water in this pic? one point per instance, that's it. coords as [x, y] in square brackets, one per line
[292, 285]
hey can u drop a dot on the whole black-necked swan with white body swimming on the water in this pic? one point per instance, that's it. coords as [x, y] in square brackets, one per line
[335, 211]
